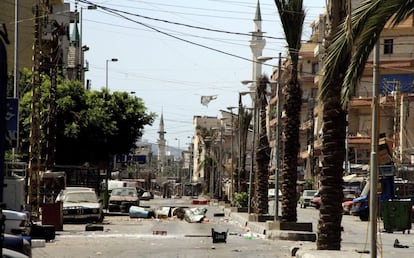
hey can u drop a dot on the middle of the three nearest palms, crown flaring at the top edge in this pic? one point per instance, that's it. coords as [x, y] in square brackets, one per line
[292, 16]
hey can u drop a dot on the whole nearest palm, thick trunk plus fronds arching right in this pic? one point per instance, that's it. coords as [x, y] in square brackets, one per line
[368, 21]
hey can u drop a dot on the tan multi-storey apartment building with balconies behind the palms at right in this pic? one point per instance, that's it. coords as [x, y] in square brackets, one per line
[396, 115]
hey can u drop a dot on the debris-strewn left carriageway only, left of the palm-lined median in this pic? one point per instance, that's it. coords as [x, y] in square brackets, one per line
[130, 237]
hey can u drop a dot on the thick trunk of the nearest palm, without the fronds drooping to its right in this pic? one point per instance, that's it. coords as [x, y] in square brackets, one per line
[334, 130]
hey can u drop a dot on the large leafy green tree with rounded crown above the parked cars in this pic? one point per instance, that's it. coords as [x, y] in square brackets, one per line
[91, 125]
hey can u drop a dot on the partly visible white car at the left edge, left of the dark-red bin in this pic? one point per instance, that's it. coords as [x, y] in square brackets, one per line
[16, 222]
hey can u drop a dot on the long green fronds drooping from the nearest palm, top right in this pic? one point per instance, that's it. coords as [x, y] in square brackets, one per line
[368, 21]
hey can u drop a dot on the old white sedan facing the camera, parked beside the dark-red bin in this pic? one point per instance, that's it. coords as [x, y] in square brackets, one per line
[81, 205]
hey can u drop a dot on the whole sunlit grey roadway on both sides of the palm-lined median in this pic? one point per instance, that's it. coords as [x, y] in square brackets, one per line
[131, 237]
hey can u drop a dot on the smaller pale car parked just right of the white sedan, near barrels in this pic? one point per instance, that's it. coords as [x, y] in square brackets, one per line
[122, 199]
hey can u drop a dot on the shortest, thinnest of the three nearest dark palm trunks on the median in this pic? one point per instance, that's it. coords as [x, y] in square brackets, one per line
[262, 152]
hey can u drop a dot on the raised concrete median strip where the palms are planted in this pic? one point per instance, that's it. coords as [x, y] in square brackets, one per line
[299, 250]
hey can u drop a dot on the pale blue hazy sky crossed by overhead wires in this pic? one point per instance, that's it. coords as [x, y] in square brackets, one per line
[170, 53]
